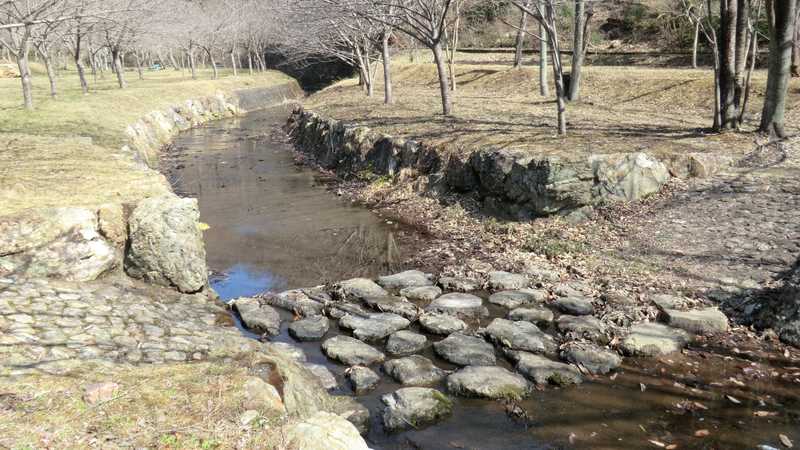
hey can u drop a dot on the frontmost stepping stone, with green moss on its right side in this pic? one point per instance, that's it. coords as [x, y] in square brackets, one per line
[415, 407]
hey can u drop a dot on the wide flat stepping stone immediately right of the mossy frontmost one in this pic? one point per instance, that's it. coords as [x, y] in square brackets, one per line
[490, 382]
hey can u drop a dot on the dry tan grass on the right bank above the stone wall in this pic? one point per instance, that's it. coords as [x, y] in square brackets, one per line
[663, 111]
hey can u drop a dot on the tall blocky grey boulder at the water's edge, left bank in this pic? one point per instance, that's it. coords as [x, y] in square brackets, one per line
[166, 245]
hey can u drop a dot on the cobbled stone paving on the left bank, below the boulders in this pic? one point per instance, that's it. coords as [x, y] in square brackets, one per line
[55, 326]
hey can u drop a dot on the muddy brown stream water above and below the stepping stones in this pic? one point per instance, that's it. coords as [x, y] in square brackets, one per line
[274, 225]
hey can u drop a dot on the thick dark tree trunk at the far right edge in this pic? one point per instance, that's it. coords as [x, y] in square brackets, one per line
[781, 16]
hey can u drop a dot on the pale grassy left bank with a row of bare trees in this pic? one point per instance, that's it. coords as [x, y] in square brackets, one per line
[65, 152]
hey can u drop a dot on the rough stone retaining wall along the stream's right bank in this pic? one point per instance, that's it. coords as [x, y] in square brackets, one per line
[512, 181]
